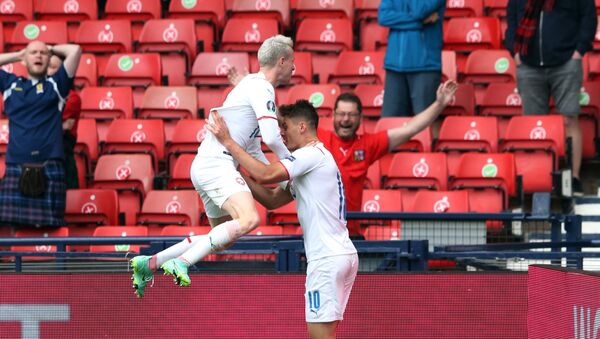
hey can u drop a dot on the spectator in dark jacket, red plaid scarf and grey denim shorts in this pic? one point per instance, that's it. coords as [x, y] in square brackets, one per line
[548, 38]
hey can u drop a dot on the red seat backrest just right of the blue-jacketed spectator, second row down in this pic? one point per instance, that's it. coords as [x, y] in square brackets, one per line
[468, 34]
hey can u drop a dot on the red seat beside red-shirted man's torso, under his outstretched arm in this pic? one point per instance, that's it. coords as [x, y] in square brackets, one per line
[410, 172]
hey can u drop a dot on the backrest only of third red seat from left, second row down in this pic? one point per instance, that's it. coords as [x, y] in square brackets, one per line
[169, 35]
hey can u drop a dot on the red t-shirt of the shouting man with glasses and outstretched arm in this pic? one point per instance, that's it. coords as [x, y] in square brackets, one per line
[353, 158]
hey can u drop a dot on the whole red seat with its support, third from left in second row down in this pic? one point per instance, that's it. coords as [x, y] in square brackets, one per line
[175, 41]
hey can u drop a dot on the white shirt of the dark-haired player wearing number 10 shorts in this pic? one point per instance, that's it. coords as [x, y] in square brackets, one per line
[316, 185]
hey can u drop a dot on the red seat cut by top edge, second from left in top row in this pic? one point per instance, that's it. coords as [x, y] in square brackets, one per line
[73, 12]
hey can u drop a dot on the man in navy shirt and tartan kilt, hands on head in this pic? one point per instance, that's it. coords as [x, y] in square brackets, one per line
[33, 189]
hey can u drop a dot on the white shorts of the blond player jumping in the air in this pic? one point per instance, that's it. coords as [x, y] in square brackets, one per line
[216, 179]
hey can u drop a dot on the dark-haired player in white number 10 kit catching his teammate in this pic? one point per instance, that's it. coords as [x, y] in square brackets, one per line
[316, 185]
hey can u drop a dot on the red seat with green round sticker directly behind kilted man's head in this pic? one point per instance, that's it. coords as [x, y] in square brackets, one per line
[50, 32]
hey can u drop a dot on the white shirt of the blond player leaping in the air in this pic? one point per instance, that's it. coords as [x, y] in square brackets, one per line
[250, 112]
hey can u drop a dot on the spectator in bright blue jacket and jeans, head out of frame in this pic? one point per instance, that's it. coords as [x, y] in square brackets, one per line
[413, 61]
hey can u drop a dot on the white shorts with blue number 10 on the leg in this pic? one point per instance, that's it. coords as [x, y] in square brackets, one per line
[328, 284]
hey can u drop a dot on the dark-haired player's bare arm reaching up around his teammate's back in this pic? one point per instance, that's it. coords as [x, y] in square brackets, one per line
[264, 174]
